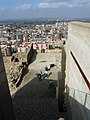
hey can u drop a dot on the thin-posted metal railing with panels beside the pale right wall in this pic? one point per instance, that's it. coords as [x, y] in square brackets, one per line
[79, 103]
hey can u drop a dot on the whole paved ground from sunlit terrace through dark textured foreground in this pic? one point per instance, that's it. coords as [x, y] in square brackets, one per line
[33, 99]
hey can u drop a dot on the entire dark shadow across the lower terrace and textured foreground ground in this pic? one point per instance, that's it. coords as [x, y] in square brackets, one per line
[35, 101]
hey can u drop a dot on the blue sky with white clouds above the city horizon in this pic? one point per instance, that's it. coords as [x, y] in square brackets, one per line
[18, 9]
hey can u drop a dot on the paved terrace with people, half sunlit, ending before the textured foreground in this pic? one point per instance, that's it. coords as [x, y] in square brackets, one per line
[31, 86]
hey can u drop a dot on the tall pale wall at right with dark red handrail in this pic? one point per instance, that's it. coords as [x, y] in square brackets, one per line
[78, 70]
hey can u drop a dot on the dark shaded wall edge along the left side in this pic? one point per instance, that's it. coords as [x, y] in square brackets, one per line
[6, 106]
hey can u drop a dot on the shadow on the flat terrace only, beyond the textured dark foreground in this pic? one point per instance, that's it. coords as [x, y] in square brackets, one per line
[38, 89]
